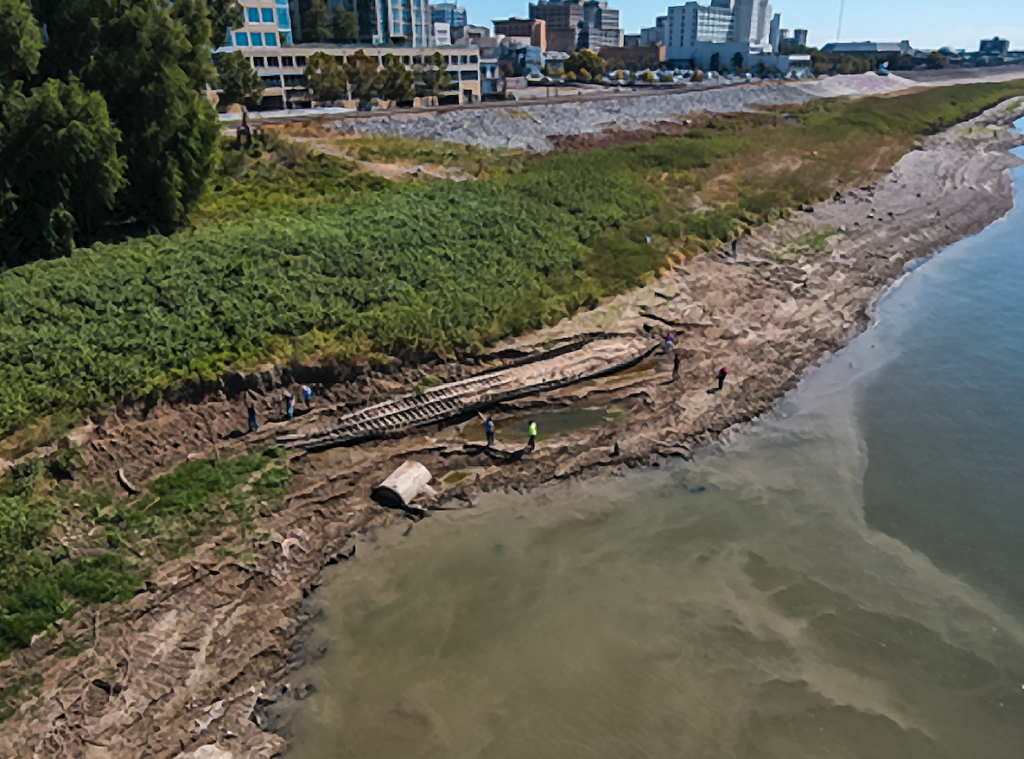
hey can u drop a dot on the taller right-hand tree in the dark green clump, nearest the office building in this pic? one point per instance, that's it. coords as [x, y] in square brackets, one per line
[148, 63]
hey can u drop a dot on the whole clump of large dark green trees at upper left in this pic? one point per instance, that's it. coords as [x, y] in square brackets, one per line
[105, 130]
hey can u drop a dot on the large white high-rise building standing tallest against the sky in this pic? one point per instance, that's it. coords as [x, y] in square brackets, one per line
[724, 28]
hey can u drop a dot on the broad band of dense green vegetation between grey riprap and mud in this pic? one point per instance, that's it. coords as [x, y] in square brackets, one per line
[310, 261]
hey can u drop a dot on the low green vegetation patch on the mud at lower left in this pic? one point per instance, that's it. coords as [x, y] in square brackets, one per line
[63, 551]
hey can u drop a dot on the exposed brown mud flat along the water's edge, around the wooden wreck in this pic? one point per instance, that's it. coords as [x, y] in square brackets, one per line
[187, 667]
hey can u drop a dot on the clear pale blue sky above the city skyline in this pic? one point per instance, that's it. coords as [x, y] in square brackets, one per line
[927, 24]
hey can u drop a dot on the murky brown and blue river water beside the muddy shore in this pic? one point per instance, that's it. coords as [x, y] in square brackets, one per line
[845, 578]
